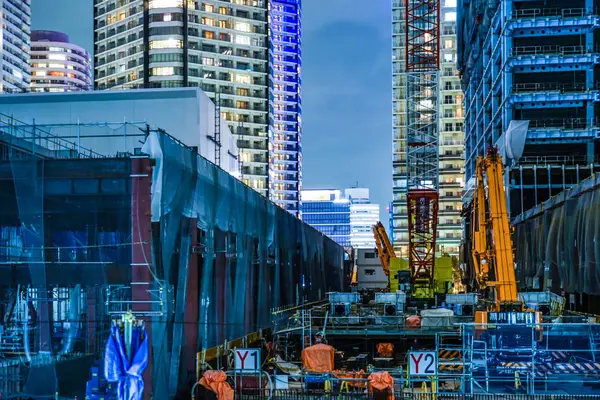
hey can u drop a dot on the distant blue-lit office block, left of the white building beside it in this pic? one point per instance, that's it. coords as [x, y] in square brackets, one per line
[328, 212]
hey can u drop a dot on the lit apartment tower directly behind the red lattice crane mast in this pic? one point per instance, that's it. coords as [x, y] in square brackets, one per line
[450, 138]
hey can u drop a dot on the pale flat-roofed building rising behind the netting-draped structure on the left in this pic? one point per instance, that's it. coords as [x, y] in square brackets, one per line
[121, 118]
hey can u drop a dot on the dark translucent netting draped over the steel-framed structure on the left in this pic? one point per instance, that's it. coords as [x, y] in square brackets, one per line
[164, 235]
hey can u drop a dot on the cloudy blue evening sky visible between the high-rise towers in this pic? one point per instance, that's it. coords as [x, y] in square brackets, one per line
[346, 96]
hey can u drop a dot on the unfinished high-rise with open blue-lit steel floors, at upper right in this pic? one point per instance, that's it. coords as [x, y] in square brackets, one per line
[531, 88]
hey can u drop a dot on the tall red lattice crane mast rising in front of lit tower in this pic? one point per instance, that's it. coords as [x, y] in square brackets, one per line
[422, 18]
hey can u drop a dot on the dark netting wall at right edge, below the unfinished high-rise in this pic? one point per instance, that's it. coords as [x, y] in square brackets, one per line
[556, 246]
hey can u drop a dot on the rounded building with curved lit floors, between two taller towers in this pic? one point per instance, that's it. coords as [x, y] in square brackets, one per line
[57, 65]
